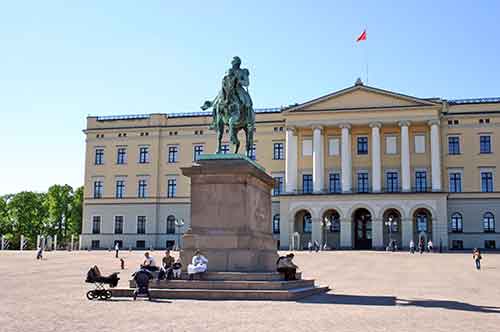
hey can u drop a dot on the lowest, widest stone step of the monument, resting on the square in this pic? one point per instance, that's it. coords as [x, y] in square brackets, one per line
[224, 294]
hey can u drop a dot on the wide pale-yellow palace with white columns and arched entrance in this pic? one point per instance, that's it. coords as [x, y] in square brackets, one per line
[354, 169]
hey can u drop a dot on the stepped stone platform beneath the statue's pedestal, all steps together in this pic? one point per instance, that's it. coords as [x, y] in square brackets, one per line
[230, 286]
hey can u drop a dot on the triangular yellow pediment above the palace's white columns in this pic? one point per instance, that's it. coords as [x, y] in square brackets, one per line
[361, 97]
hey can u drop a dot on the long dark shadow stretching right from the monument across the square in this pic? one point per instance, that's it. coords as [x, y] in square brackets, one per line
[393, 301]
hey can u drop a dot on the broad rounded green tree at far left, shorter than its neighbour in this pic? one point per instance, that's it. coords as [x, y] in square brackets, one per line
[27, 215]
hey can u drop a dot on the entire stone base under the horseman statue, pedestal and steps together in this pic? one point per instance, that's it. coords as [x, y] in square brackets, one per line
[231, 226]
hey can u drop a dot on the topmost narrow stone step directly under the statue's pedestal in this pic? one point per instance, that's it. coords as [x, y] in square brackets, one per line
[237, 276]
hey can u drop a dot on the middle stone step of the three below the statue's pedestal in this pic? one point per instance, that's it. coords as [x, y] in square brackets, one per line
[219, 284]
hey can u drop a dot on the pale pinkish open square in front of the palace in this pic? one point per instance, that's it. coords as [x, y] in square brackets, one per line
[371, 291]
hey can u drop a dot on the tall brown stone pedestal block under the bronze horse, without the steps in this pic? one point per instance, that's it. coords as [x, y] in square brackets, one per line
[230, 215]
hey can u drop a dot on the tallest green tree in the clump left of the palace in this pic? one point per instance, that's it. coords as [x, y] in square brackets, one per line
[58, 201]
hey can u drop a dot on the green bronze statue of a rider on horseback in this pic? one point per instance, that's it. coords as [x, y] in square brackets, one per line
[233, 108]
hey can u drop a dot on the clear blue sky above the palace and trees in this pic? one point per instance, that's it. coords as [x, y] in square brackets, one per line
[63, 60]
